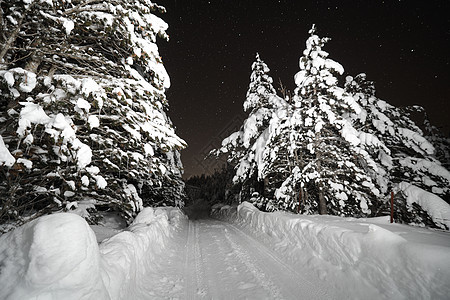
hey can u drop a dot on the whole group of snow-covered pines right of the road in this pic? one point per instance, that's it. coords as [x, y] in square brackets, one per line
[334, 148]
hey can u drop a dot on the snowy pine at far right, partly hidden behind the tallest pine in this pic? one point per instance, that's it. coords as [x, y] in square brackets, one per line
[406, 154]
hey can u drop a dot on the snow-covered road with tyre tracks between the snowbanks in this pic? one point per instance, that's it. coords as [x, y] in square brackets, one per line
[216, 260]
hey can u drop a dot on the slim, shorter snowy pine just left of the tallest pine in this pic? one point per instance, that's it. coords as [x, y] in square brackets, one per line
[244, 148]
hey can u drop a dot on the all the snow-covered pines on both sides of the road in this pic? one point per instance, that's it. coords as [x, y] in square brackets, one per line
[85, 127]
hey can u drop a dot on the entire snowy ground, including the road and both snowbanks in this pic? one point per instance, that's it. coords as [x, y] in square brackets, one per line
[240, 254]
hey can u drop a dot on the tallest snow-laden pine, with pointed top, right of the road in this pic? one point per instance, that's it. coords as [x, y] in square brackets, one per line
[334, 169]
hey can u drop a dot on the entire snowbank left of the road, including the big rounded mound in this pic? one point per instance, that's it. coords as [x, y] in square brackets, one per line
[57, 257]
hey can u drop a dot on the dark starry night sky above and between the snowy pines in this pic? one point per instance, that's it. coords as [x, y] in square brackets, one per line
[401, 45]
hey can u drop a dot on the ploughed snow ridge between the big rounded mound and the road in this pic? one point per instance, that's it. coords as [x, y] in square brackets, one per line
[128, 255]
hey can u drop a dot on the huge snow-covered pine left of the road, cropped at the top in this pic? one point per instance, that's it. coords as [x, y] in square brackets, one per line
[83, 108]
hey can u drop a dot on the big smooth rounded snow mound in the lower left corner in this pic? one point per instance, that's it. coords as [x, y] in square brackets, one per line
[55, 256]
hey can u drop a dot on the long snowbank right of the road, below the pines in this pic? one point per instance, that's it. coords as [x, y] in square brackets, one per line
[358, 259]
